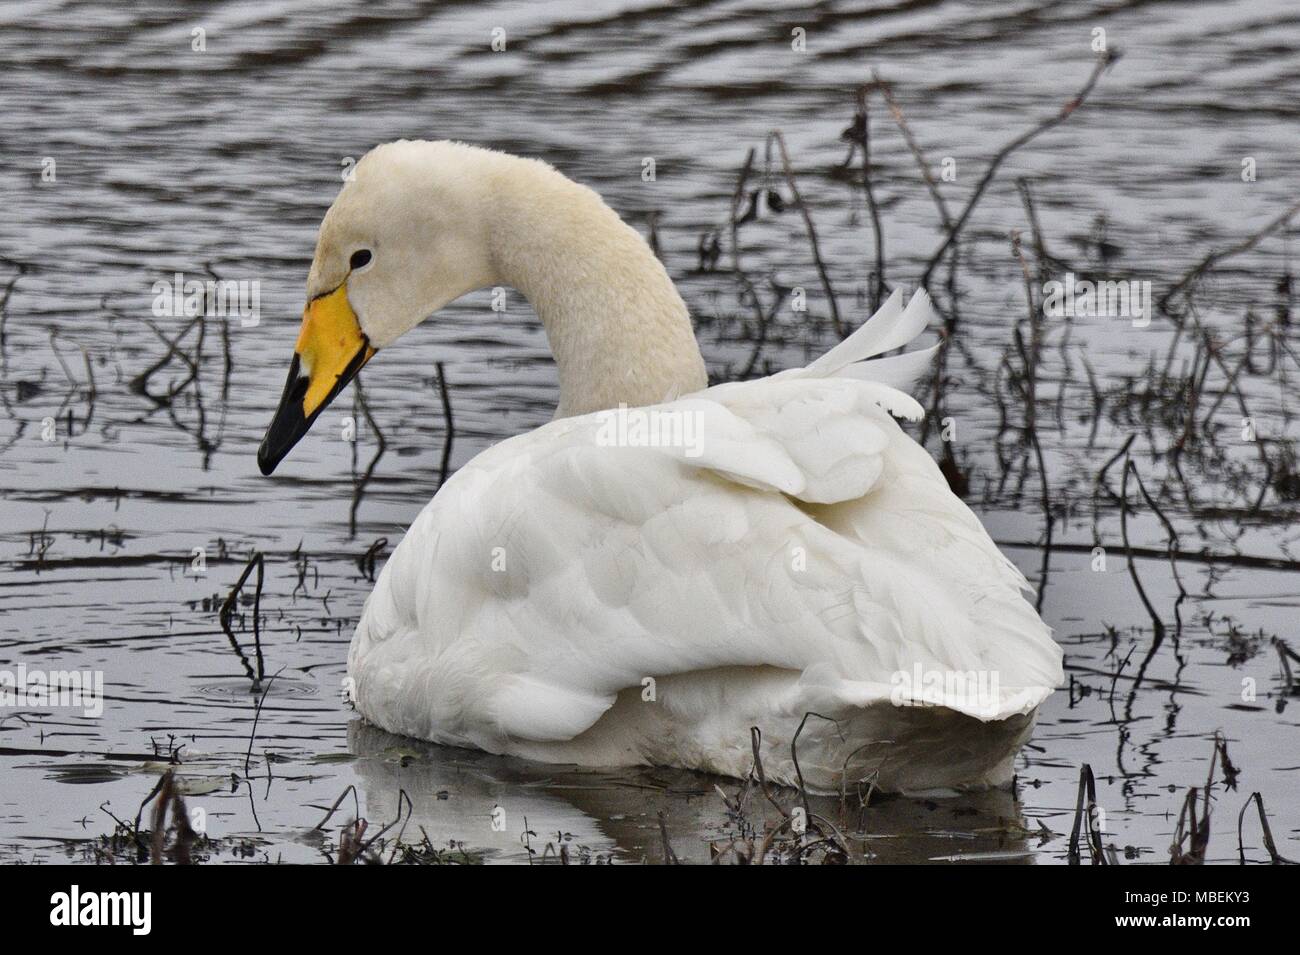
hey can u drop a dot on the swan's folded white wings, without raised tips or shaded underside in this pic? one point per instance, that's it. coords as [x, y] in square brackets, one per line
[554, 572]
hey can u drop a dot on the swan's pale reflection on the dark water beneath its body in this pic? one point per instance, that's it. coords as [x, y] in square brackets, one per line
[614, 815]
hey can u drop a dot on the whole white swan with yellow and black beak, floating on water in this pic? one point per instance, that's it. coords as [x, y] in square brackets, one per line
[579, 596]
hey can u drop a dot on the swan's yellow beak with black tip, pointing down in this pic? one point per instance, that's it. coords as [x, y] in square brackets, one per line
[331, 351]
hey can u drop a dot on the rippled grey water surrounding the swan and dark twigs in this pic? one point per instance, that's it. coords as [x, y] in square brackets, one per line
[168, 159]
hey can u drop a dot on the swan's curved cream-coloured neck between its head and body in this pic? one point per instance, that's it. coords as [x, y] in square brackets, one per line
[618, 329]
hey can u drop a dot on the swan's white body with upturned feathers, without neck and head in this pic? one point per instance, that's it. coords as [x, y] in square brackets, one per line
[571, 601]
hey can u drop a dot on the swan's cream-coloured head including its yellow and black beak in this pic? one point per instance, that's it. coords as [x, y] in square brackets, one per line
[406, 236]
